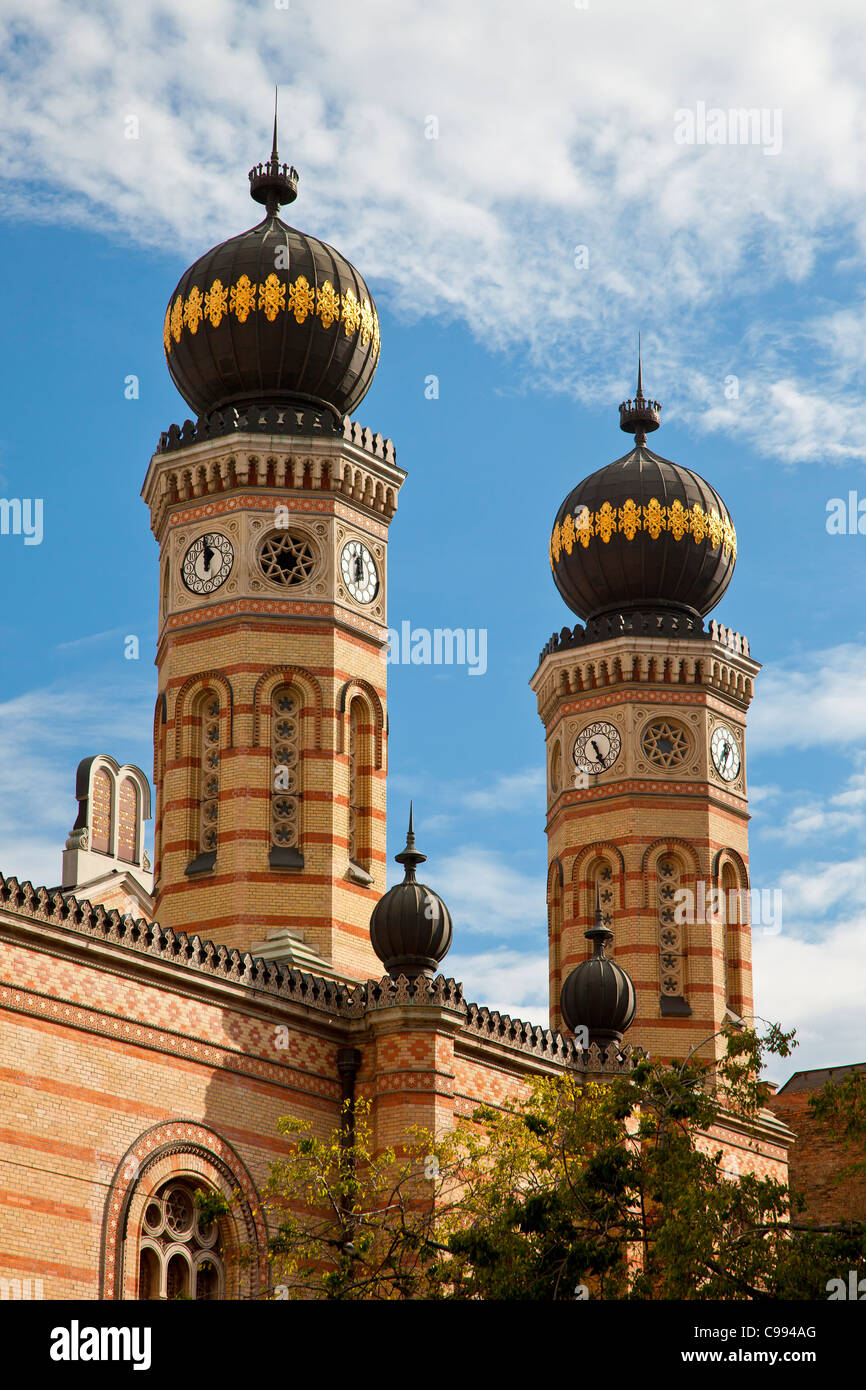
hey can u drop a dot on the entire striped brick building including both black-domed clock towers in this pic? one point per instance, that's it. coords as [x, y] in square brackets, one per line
[156, 1022]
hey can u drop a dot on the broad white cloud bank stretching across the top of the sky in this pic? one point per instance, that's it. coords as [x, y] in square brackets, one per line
[550, 136]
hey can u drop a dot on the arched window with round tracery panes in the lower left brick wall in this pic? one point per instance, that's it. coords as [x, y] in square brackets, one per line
[181, 1254]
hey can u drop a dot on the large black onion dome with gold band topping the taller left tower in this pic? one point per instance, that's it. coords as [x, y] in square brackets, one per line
[272, 318]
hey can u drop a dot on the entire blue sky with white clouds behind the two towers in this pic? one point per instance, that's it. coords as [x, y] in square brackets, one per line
[553, 134]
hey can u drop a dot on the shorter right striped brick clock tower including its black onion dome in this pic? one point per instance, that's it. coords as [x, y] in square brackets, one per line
[644, 712]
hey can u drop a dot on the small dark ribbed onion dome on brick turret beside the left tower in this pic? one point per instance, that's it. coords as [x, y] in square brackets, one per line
[411, 926]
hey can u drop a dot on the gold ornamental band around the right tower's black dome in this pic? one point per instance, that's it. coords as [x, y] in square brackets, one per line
[653, 518]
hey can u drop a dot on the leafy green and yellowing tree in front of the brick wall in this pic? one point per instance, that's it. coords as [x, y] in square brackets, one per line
[605, 1191]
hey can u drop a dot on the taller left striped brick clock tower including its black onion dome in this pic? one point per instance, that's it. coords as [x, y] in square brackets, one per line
[272, 515]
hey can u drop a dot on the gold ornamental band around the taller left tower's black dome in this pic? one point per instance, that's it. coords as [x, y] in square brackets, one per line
[272, 298]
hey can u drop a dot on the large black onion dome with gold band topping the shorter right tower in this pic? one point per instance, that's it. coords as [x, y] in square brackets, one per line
[643, 533]
